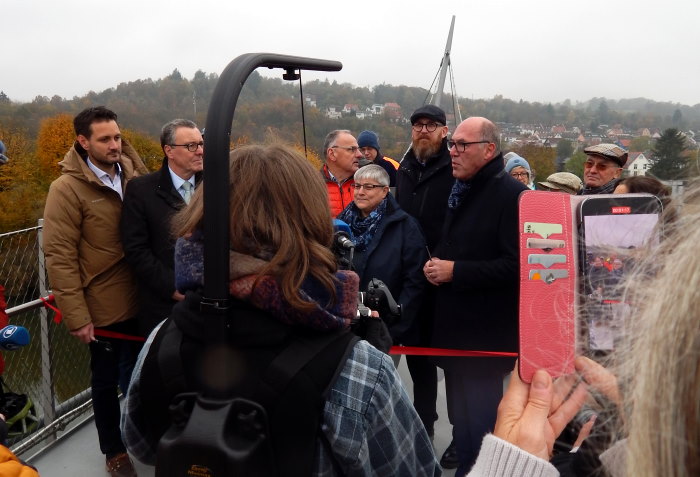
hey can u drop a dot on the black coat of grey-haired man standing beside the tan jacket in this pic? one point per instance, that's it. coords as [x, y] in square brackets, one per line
[149, 204]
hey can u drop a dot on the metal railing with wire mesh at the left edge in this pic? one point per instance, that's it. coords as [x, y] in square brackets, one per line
[54, 369]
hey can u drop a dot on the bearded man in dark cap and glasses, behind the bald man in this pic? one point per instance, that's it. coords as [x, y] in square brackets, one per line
[423, 184]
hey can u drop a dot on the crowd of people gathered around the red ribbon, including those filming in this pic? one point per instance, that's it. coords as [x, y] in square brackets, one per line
[439, 228]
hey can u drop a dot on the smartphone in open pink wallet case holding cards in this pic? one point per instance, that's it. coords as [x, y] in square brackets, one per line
[575, 252]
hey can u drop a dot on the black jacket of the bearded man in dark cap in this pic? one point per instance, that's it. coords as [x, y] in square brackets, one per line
[422, 190]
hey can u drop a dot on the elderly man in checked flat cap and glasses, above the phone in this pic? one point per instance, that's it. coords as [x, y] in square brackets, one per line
[602, 168]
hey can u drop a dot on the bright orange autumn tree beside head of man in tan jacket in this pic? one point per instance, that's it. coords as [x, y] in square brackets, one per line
[56, 137]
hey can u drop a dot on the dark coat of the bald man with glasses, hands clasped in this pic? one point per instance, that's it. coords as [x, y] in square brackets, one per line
[478, 310]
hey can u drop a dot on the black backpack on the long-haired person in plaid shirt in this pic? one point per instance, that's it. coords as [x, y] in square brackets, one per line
[266, 425]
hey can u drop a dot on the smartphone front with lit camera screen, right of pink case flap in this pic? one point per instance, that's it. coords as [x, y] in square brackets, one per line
[615, 232]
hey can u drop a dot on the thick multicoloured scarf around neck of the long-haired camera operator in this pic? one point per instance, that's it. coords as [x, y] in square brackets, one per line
[265, 293]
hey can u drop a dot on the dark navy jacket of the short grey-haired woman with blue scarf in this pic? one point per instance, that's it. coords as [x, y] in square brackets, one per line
[396, 256]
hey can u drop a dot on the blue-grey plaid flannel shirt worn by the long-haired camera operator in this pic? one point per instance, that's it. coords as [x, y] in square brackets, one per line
[368, 420]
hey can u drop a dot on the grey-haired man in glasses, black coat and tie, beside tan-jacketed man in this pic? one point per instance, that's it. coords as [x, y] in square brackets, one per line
[149, 204]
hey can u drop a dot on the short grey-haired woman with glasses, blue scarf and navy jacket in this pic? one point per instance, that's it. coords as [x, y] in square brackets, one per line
[389, 245]
